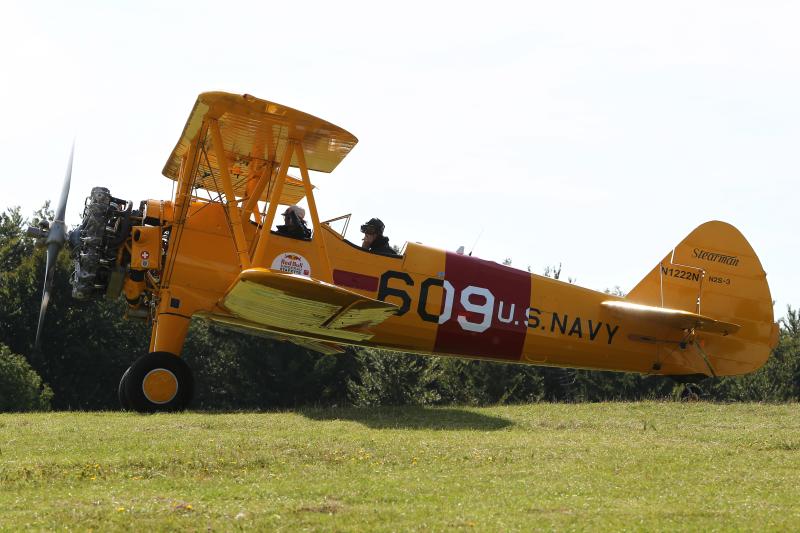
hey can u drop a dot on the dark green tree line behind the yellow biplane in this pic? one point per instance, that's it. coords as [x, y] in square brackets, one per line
[86, 346]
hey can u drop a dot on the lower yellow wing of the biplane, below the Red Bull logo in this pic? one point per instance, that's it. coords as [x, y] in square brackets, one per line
[295, 304]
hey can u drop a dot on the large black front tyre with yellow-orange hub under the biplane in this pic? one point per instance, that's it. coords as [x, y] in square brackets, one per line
[159, 382]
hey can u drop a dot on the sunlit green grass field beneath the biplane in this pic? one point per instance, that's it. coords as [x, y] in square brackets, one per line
[618, 466]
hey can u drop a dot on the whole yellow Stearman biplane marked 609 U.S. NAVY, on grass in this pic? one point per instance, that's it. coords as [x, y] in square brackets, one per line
[211, 252]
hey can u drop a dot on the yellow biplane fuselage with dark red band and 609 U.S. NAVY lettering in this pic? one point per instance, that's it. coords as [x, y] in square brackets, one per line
[448, 304]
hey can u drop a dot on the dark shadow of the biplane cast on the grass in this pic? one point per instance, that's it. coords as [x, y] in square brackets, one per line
[412, 418]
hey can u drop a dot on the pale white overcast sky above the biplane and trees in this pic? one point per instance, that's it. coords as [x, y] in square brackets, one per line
[596, 135]
